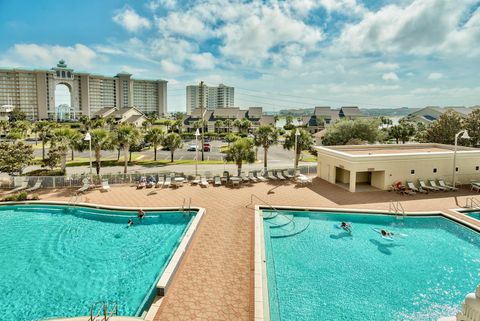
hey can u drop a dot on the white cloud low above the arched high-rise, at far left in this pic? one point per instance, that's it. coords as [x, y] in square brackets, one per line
[28, 55]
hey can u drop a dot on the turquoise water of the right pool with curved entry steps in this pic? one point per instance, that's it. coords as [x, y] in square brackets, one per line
[323, 273]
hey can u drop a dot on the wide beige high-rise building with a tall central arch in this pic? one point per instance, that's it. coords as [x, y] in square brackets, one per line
[33, 91]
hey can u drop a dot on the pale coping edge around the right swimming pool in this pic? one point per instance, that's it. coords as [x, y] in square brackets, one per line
[261, 299]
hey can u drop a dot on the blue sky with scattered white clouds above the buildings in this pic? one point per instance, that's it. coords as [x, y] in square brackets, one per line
[278, 54]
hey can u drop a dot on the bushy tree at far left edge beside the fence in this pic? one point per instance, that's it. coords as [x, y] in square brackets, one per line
[14, 157]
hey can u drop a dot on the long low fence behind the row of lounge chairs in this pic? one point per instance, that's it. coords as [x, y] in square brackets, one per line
[129, 178]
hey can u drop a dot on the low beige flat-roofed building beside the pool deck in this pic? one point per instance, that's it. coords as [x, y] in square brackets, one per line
[379, 166]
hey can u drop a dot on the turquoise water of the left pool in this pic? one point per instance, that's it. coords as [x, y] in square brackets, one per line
[56, 261]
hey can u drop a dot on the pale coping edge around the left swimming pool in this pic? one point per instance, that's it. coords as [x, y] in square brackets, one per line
[166, 278]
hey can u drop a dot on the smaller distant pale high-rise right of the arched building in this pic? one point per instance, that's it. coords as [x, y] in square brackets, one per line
[210, 97]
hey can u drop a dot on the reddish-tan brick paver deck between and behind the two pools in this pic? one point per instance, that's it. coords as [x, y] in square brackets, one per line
[215, 278]
